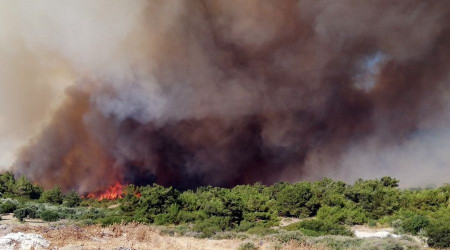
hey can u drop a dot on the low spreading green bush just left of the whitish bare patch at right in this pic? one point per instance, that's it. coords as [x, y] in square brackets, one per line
[317, 228]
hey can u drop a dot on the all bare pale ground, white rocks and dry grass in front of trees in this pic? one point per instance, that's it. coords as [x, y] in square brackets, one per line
[35, 234]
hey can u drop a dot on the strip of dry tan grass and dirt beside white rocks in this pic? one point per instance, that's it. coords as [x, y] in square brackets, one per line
[132, 236]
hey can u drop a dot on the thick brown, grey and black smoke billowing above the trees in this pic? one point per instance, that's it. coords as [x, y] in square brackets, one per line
[190, 93]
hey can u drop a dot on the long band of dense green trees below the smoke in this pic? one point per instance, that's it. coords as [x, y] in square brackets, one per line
[331, 205]
